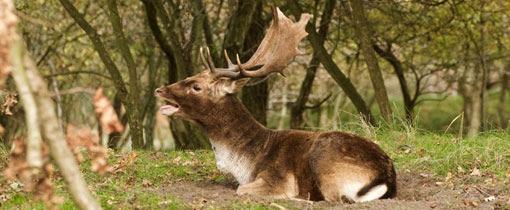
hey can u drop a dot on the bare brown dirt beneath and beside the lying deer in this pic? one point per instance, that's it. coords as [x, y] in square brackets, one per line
[415, 191]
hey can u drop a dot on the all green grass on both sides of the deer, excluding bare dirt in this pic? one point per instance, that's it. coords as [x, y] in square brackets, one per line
[413, 150]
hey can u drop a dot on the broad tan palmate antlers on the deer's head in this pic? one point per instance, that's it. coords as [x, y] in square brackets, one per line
[277, 49]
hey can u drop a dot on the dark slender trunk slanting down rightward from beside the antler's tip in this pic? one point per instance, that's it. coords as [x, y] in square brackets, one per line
[334, 71]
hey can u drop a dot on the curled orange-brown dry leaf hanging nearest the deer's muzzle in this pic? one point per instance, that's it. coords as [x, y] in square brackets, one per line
[107, 117]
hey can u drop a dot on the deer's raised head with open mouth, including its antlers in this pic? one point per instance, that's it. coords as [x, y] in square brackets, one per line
[194, 97]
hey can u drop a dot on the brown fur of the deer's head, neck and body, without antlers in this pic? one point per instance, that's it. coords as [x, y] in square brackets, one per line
[281, 163]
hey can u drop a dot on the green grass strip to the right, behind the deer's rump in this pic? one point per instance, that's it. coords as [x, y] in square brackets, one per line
[440, 154]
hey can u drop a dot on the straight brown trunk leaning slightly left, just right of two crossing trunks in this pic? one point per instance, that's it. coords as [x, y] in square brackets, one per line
[363, 31]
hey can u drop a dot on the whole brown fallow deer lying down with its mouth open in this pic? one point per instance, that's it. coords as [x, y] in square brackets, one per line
[296, 164]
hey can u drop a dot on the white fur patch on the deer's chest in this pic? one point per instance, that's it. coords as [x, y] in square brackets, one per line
[228, 161]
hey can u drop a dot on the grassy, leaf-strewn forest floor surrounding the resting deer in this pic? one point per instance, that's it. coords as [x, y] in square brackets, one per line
[474, 174]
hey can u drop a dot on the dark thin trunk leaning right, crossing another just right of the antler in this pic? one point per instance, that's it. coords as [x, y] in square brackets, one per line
[298, 107]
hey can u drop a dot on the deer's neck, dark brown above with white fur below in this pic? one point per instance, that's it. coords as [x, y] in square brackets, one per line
[236, 137]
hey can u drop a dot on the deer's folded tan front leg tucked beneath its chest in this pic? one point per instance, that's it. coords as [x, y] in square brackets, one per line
[277, 188]
